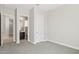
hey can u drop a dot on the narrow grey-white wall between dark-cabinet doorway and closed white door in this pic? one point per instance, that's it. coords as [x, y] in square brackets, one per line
[31, 25]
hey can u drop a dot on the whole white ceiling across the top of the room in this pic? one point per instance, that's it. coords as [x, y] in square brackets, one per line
[42, 7]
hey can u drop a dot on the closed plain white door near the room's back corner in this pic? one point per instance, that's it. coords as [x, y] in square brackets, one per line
[39, 28]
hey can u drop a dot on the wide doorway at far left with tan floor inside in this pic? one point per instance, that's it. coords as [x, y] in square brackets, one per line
[7, 29]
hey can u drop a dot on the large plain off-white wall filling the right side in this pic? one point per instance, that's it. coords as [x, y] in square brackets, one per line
[63, 26]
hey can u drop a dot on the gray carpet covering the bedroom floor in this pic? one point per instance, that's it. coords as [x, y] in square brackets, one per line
[39, 48]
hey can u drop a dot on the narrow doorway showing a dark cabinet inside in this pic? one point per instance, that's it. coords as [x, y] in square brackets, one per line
[23, 28]
